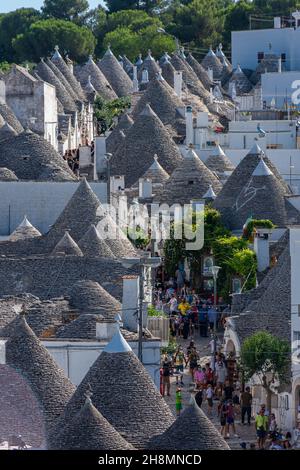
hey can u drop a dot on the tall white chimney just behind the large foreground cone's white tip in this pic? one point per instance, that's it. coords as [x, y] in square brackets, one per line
[130, 302]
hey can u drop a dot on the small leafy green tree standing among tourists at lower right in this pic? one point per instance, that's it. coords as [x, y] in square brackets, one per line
[267, 357]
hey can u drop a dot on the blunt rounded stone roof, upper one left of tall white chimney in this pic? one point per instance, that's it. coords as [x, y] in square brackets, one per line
[89, 297]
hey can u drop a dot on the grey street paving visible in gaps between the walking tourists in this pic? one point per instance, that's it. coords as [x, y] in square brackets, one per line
[246, 433]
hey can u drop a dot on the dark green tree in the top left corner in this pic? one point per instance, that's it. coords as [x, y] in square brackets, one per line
[12, 24]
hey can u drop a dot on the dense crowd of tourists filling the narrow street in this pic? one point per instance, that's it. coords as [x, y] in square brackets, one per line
[190, 314]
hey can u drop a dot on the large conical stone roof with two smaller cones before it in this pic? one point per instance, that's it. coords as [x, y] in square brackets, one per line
[82, 210]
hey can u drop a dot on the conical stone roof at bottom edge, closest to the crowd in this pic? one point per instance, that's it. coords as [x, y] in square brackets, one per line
[197, 431]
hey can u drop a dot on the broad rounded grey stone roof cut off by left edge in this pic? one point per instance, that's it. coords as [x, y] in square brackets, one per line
[31, 157]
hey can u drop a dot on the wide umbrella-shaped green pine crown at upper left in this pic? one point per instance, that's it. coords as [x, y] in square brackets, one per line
[42, 36]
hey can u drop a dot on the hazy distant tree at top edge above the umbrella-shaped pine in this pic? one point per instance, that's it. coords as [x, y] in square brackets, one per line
[65, 9]
